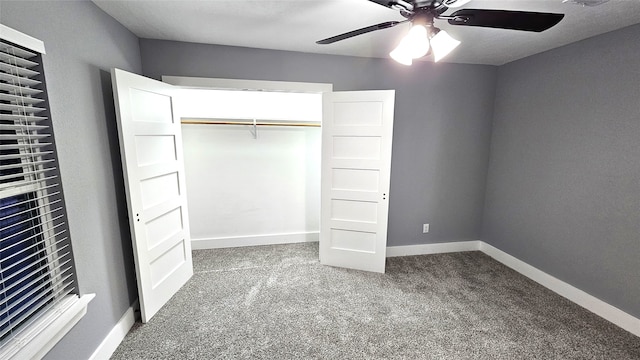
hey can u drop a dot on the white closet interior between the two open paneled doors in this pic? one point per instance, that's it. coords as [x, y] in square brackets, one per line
[245, 191]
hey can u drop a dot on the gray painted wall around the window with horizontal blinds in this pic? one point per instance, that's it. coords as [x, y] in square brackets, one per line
[82, 44]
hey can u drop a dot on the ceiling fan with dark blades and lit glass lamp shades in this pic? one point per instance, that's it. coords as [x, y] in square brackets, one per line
[424, 38]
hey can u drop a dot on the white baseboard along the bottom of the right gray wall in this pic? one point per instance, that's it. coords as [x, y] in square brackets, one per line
[589, 302]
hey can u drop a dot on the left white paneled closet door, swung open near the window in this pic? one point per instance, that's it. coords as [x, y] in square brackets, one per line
[151, 148]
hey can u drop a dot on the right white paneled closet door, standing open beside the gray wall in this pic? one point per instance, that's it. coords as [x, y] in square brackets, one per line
[357, 129]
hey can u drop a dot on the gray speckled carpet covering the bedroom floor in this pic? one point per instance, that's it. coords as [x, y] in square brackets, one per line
[278, 302]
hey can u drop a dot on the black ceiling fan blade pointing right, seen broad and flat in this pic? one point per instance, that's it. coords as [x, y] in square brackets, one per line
[505, 19]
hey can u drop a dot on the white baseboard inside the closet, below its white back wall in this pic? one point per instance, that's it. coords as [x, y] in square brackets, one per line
[239, 241]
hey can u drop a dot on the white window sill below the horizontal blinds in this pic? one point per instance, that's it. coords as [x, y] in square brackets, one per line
[36, 341]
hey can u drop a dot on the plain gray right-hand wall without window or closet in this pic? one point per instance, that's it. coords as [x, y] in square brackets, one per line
[563, 190]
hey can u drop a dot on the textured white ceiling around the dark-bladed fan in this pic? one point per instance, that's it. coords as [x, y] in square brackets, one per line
[295, 25]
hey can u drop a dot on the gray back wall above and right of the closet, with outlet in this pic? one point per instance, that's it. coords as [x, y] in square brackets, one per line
[441, 132]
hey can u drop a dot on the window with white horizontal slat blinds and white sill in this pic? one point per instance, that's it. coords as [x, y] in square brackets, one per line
[37, 274]
